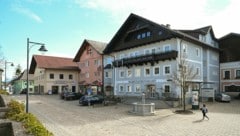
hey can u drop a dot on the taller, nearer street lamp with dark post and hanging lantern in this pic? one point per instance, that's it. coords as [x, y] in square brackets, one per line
[42, 48]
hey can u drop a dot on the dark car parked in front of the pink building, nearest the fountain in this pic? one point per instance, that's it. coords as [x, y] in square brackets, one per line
[91, 99]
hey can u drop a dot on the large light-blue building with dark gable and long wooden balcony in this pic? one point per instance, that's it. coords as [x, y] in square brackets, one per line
[147, 55]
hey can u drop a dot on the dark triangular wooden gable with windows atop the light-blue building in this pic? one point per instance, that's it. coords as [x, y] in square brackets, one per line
[138, 31]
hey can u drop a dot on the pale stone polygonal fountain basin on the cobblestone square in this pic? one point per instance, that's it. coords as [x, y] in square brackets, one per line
[143, 109]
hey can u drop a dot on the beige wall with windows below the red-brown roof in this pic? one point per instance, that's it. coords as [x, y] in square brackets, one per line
[55, 80]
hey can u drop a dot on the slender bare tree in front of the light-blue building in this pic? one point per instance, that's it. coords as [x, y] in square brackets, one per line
[183, 77]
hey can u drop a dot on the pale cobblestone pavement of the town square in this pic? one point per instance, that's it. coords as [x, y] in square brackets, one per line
[68, 118]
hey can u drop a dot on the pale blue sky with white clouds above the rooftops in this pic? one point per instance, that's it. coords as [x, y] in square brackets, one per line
[62, 25]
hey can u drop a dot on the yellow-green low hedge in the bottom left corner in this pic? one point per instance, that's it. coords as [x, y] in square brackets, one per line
[30, 122]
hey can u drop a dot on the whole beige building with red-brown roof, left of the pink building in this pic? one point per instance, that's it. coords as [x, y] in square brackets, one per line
[54, 74]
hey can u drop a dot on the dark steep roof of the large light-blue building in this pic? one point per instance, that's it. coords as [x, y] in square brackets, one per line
[168, 33]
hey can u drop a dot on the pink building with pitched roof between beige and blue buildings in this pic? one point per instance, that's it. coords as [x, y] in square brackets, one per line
[90, 62]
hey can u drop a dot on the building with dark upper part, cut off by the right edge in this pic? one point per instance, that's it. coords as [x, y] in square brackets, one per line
[230, 63]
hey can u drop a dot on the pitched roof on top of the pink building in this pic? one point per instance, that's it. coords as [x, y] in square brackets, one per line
[98, 46]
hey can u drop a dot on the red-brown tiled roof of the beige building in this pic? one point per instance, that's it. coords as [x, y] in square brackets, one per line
[52, 62]
